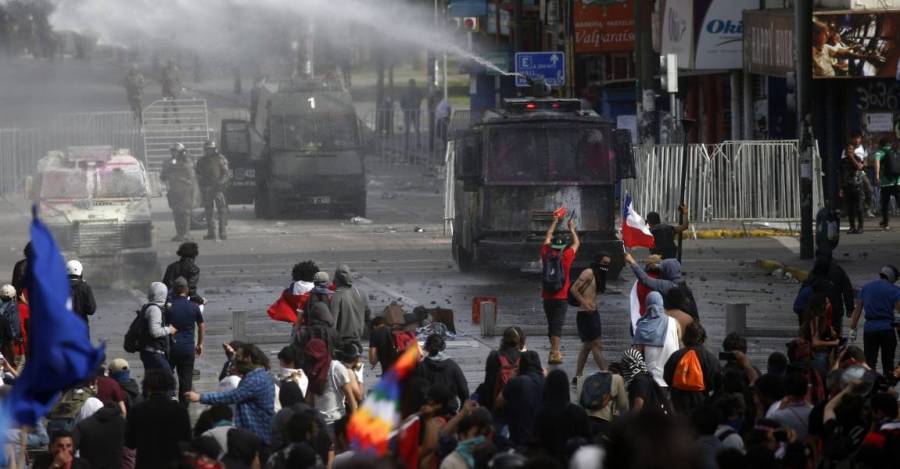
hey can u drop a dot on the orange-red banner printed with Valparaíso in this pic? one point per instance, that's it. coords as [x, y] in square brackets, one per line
[604, 26]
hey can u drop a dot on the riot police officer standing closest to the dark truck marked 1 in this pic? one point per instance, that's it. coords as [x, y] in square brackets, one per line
[213, 177]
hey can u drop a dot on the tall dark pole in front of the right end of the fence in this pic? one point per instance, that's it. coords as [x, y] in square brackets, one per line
[803, 59]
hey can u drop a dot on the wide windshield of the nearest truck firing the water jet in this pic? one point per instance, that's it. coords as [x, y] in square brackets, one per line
[550, 154]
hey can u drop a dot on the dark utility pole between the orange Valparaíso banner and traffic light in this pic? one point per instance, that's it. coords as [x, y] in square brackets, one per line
[644, 61]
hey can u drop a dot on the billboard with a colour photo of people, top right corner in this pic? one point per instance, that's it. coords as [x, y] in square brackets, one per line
[856, 45]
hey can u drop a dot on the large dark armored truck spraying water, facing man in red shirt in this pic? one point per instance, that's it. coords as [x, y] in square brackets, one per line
[518, 164]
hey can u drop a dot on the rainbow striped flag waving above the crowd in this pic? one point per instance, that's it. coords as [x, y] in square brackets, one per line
[372, 425]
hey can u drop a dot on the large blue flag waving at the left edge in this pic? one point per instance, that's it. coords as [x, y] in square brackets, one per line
[61, 352]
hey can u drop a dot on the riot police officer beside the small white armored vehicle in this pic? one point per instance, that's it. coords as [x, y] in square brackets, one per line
[178, 174]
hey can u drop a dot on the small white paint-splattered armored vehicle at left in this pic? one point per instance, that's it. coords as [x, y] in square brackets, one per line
[95, 200]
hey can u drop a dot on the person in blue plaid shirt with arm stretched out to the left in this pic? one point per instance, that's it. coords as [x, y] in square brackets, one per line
[254, 398]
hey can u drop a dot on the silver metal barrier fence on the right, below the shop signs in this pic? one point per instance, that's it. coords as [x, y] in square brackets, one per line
[733, 180]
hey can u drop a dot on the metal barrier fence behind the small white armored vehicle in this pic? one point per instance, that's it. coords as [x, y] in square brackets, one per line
[20, 149]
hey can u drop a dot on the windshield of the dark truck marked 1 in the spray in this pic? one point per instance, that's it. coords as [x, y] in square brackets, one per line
[312, 132]
